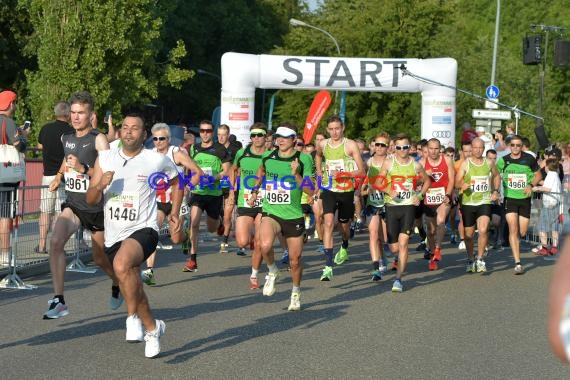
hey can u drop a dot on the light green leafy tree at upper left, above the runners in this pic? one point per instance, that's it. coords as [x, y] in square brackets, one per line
[108, 47]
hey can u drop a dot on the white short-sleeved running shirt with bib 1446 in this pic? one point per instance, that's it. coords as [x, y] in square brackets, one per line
[129, 201]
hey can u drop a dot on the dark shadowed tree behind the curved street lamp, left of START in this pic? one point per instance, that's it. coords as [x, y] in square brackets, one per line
[210, 29]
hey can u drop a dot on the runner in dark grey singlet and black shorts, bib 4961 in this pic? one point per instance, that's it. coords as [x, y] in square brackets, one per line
[80, 151]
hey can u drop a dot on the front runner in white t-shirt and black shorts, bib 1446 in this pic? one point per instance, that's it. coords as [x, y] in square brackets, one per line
[131, 228]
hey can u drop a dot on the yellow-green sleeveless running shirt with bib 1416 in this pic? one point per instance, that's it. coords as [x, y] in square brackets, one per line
[479, 179]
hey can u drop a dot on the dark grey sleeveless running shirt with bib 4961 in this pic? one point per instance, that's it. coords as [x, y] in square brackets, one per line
[76, 184]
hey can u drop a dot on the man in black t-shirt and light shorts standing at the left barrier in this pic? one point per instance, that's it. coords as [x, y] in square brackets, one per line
[49, 141]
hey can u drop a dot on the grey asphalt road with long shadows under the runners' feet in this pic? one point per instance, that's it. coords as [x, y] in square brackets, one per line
[446, 324]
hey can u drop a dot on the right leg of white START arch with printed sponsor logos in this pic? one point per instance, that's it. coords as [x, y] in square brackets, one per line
[438, 119]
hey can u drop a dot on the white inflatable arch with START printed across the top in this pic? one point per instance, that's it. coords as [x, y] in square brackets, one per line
[243, 73]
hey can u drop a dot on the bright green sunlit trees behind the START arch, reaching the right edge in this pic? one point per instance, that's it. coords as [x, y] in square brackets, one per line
[460, 29]
